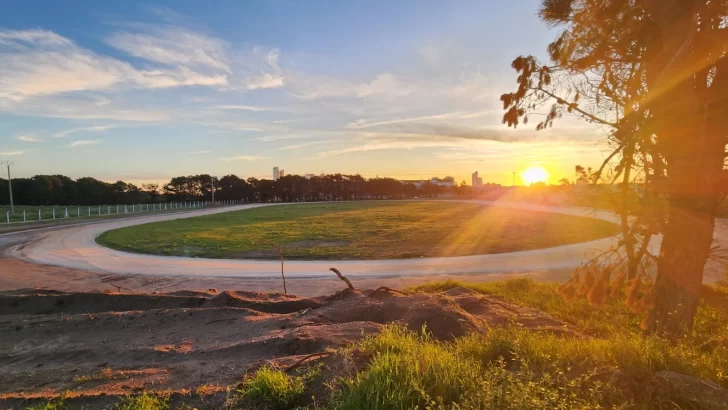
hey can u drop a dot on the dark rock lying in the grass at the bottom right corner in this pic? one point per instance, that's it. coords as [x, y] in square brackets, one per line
[688, 388]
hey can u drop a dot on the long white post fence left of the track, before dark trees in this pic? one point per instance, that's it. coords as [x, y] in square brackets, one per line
[53, 213]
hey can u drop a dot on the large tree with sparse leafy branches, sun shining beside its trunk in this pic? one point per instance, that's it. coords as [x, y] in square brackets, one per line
[655, 74]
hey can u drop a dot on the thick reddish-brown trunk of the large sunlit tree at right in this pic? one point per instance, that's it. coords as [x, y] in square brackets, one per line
[684, 123]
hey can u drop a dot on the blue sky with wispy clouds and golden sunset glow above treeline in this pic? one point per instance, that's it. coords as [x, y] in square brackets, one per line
[144, 91]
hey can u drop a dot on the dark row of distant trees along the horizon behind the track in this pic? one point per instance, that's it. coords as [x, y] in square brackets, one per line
[62, 190]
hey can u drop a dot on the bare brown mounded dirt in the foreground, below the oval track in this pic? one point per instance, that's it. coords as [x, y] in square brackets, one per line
[92, 345]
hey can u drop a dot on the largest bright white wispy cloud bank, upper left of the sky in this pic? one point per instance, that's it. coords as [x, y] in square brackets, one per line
[39, 62]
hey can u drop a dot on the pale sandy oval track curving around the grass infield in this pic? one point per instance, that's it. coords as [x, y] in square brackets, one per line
[75, 248]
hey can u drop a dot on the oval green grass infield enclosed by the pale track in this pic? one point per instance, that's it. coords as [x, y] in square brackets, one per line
[359, 230]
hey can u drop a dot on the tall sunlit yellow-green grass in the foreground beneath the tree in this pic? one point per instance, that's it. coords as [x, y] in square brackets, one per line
[513, 368]
